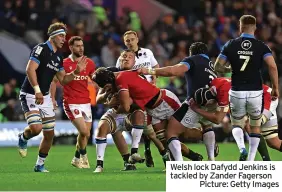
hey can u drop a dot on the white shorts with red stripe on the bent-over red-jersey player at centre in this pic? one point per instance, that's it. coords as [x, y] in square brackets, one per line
[169, 104]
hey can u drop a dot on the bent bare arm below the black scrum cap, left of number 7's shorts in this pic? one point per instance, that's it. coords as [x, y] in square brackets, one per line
[214, 117]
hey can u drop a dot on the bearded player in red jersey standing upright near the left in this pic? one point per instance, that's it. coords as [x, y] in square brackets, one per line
[76, 100]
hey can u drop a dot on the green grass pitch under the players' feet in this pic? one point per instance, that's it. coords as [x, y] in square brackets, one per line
[17, 173]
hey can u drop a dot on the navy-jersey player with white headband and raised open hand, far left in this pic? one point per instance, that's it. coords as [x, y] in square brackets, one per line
[45, 62]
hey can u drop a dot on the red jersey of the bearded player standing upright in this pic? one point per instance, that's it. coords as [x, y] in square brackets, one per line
[76, 91]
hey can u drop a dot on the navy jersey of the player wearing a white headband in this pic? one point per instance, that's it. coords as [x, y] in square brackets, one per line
[49, 64]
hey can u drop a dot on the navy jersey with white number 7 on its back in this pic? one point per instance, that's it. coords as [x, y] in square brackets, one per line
[246, 56]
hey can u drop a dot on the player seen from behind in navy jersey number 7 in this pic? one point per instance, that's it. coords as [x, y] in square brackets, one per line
[246, 56]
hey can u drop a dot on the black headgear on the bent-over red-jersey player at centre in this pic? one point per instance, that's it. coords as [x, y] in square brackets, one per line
[102, 77]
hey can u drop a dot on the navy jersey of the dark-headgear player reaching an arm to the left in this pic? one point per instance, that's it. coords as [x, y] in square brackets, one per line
[200, 73]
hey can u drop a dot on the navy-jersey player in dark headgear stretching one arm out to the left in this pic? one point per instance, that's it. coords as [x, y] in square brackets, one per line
[198, 71]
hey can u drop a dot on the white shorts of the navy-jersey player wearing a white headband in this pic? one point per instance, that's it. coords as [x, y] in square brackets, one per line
[28, 104]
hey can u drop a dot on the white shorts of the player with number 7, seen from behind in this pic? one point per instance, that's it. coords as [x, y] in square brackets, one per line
[245, 103]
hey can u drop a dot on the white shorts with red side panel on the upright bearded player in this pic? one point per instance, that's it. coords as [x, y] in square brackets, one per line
[74, 111]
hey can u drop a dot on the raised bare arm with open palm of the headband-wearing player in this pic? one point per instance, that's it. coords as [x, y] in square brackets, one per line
[64, 78]
